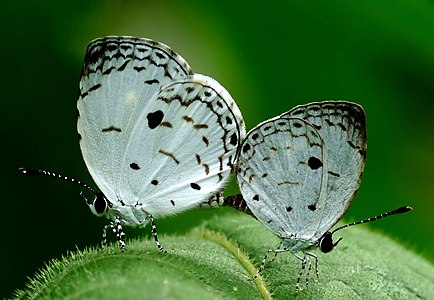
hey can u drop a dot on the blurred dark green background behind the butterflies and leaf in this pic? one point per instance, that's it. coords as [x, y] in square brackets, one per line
[270, 56]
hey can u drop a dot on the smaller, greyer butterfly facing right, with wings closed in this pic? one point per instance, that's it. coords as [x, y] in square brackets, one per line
[299, 173]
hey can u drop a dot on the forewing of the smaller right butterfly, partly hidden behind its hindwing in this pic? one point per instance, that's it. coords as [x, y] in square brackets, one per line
[342, 126]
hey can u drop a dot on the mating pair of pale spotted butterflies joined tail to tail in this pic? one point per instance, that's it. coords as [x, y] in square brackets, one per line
[158, 139]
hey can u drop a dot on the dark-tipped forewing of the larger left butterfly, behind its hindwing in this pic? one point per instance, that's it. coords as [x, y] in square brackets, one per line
[119, 77]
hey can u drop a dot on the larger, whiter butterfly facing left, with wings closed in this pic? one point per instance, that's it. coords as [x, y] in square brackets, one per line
[156, 138]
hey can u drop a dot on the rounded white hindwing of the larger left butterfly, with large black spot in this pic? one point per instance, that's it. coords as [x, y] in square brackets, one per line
[182, 148]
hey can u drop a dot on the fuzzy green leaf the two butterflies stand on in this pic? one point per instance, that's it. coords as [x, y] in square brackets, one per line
[217, 260]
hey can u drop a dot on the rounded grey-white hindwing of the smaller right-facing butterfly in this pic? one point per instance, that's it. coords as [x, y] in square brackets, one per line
[280, 176]
